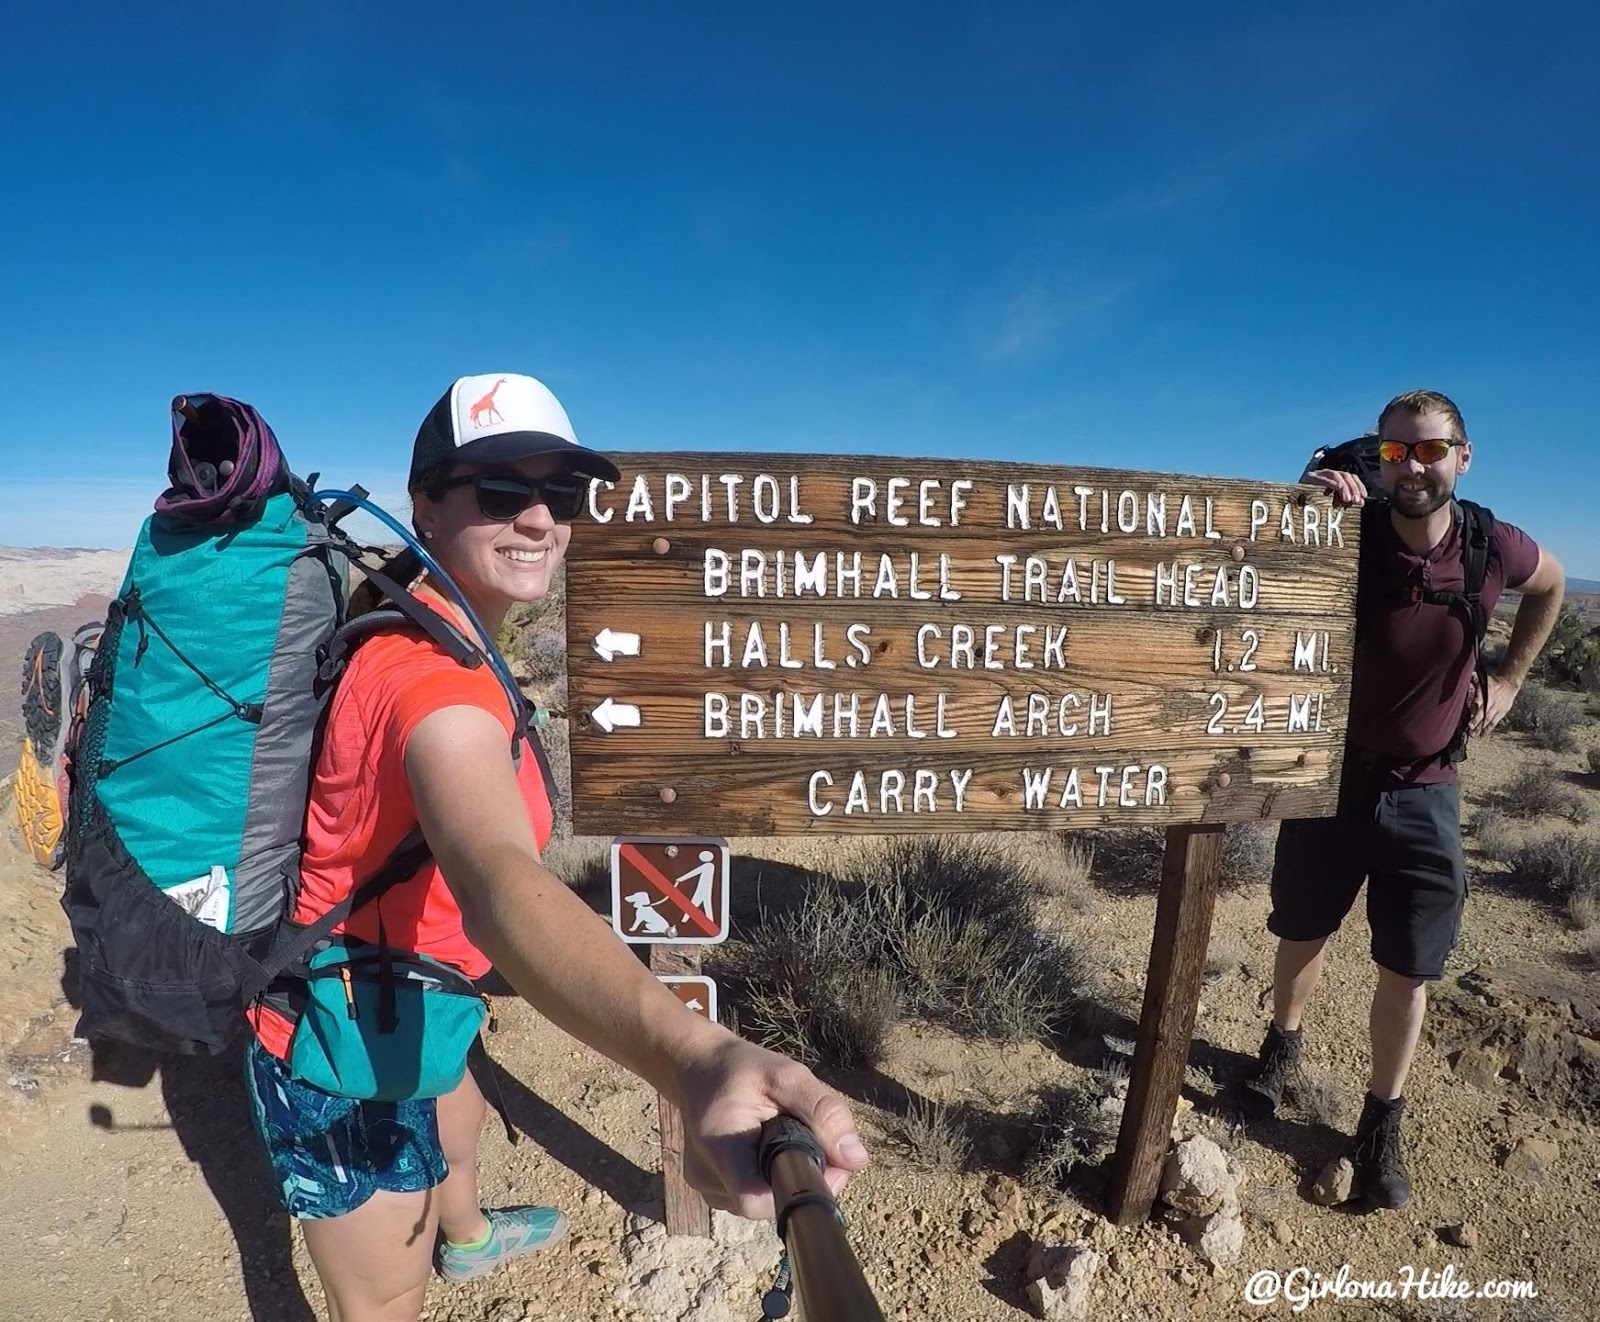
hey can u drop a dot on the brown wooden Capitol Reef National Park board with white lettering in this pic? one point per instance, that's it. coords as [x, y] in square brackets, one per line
[766, 646]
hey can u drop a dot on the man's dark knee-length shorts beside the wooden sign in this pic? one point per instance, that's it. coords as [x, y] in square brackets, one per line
[1406, 844]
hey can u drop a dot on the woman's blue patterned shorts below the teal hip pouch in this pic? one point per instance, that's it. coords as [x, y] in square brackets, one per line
[334, 1153]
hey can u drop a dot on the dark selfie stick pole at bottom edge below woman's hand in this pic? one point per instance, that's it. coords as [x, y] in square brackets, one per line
[826, 1273]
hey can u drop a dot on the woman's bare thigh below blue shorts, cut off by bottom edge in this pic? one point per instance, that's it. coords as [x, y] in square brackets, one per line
[375, 1262]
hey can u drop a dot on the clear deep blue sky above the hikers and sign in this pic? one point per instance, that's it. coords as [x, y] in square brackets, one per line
[1170, 238]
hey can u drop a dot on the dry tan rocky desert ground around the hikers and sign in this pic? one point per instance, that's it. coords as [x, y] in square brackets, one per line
[135, 1188]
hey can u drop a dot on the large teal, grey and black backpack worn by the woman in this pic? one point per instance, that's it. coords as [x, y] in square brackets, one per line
[191, 769]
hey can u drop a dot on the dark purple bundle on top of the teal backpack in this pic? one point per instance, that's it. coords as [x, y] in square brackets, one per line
[226, 462]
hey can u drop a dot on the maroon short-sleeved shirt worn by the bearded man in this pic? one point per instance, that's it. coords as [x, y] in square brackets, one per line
[1414, 660]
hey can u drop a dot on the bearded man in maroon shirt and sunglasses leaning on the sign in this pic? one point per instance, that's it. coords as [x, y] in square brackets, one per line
[1415, 694]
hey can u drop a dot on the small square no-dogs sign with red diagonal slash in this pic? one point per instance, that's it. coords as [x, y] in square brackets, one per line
[670, 892]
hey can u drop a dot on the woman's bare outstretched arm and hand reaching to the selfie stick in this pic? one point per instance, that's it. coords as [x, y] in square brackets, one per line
[569, 964]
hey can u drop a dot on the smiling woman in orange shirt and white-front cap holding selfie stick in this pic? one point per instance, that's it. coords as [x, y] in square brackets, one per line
[415, 739]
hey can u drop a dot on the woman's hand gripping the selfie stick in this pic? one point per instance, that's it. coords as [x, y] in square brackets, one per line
[727, 1096]
